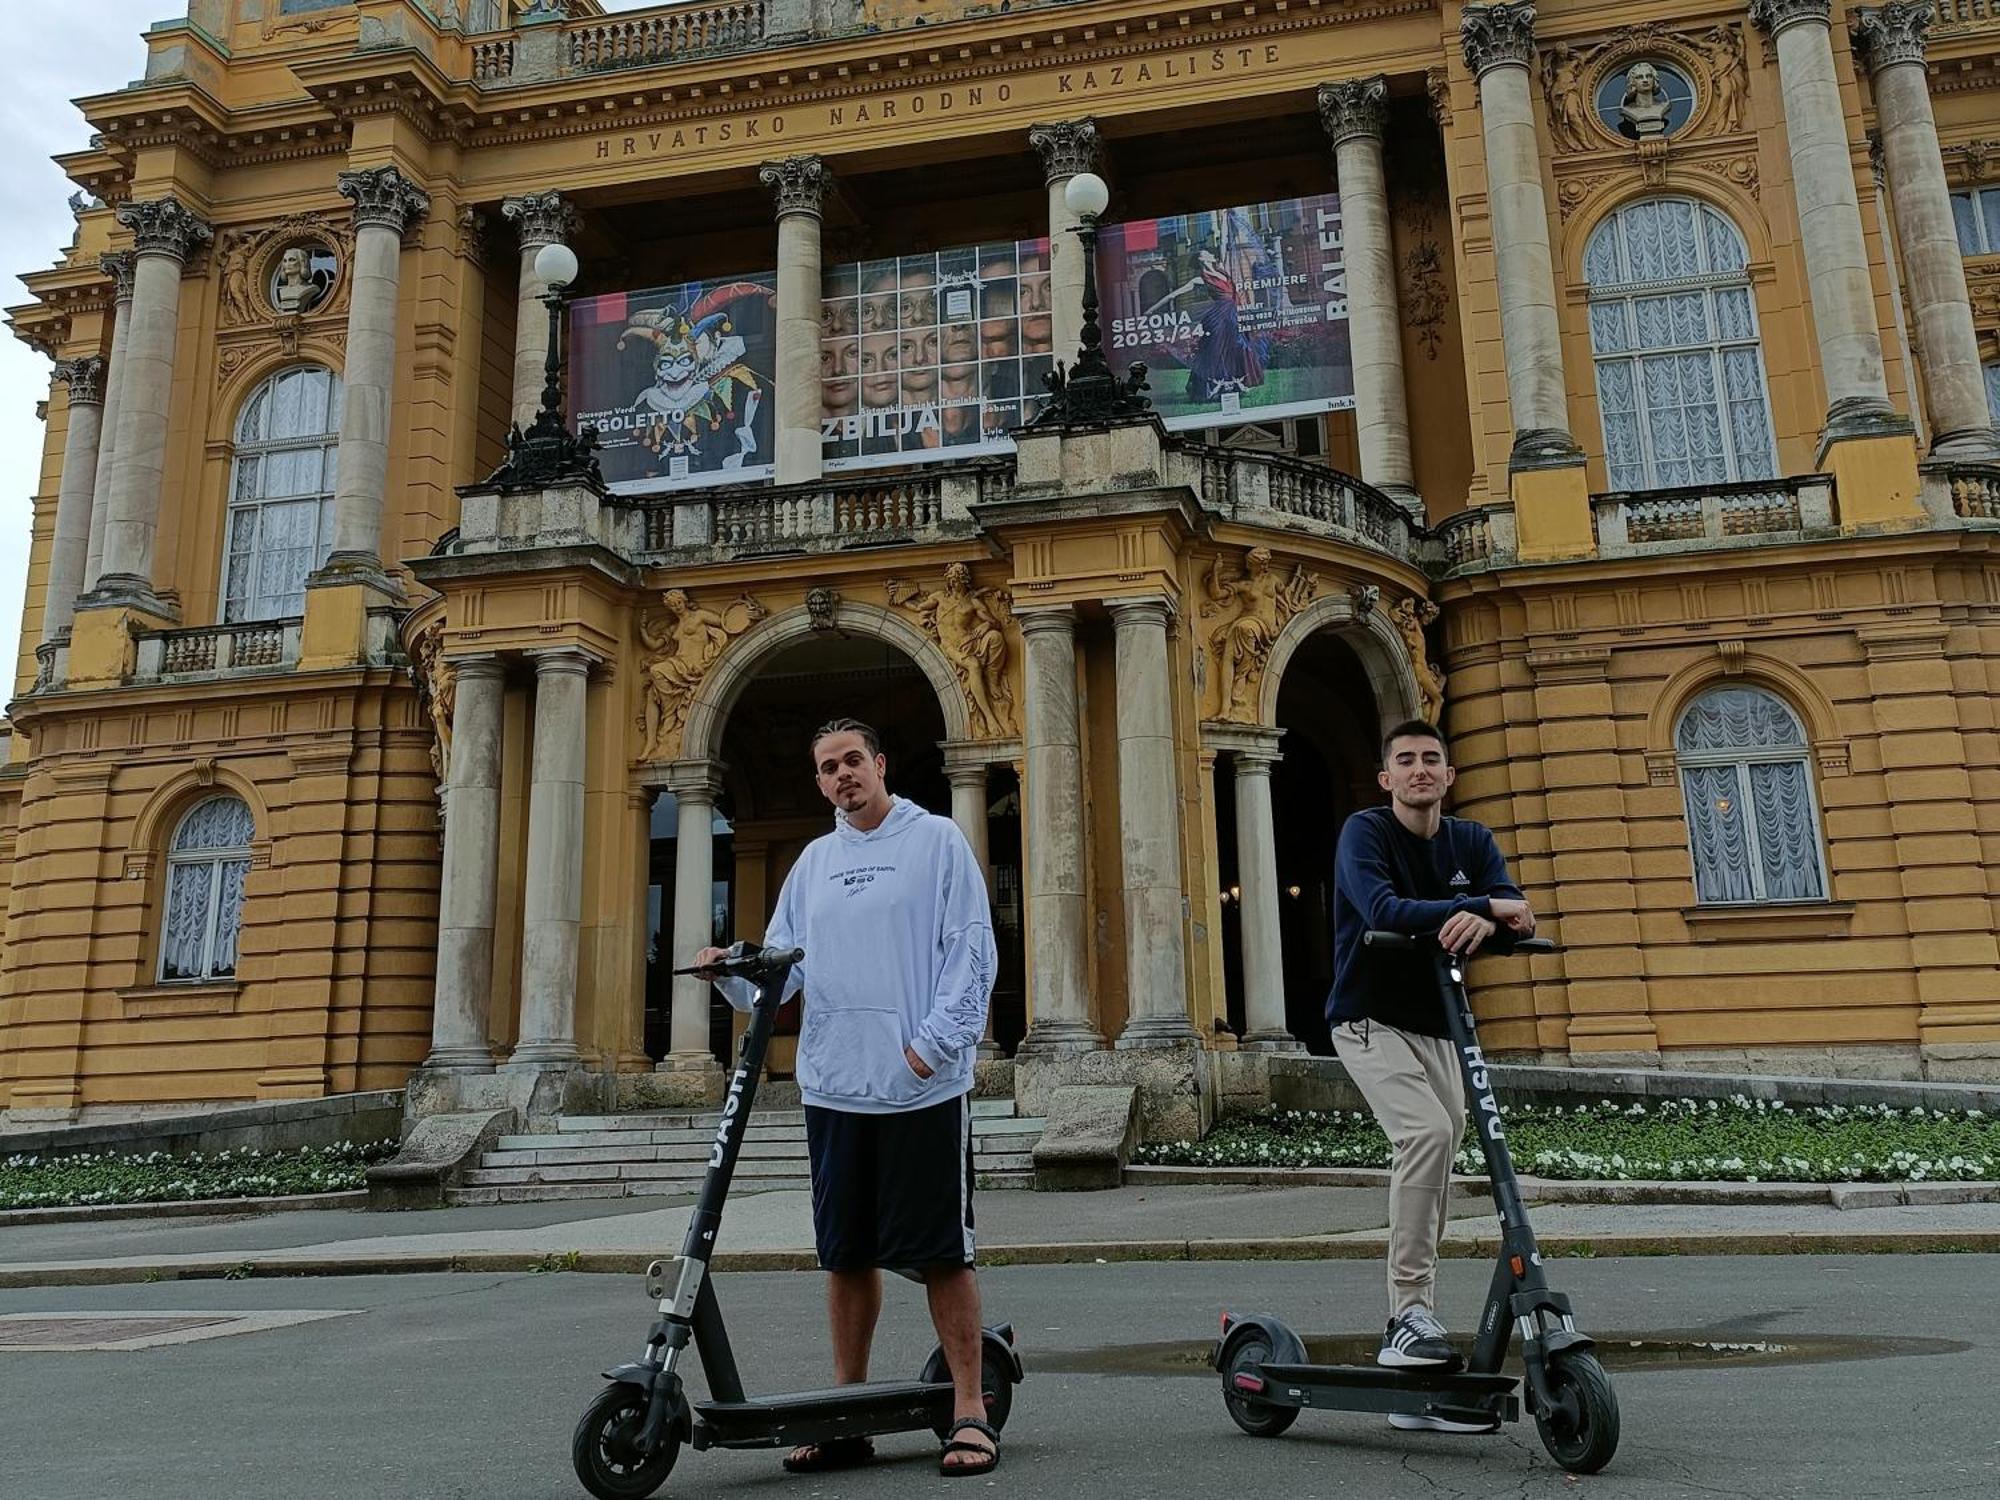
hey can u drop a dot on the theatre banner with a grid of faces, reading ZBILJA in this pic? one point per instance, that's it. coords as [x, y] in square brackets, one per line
[935, 355]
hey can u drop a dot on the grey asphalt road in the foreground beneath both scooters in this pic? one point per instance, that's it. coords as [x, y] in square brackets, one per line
[467, 1387]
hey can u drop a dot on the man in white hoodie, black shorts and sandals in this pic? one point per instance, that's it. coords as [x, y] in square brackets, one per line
[899, 971]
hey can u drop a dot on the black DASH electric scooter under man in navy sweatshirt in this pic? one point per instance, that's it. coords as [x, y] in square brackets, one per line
[1267, 1381]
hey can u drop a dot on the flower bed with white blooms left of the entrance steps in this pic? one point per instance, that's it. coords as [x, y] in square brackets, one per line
[107, 1179]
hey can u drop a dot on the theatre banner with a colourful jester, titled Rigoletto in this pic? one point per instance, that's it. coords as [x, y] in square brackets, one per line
[679, 381]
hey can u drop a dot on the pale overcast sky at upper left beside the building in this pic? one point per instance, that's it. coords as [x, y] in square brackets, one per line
[77, 49]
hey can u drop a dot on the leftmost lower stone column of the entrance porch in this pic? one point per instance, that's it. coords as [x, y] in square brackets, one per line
[469, 895]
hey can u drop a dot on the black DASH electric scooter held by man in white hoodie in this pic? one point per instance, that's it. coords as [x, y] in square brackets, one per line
[629, 1439]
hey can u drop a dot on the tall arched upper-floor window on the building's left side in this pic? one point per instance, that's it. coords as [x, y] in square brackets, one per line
[281, 495]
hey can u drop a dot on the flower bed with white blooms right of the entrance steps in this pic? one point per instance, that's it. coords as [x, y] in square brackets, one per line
[1741, 1141]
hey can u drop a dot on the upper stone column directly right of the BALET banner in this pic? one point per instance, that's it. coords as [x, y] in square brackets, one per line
[1355, 117]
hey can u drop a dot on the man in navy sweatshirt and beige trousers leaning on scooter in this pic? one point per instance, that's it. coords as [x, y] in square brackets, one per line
[1409, 869]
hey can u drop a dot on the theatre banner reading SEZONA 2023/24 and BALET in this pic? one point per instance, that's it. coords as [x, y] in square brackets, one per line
[1237, 313]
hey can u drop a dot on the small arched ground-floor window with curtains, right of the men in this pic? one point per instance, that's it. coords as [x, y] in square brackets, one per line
[1753, 823]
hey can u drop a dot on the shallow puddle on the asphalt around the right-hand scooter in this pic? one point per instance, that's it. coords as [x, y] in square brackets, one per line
[1617, 1351]
